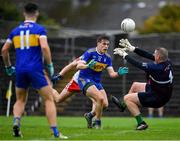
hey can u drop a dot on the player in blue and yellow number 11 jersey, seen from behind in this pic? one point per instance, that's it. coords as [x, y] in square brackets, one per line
[31, 46]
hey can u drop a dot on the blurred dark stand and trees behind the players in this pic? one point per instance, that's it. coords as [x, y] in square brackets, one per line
[73, 26]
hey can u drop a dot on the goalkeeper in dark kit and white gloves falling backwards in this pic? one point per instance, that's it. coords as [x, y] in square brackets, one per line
[158, 89]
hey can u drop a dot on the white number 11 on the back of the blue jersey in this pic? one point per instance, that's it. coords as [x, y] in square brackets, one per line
[24, 39]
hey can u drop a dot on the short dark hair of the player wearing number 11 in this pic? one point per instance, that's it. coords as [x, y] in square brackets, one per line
[31, 8]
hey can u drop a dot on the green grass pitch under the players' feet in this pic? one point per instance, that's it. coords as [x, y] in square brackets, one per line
[36, 128]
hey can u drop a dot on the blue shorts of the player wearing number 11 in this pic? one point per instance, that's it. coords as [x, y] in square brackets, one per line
[35, 78]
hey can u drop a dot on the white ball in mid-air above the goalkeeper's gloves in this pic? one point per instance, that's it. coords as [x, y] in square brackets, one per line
[128, 25]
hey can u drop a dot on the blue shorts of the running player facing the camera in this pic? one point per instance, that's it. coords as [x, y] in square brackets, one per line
[85, 83]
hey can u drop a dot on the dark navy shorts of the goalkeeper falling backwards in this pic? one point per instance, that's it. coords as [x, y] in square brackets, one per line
[152, 99]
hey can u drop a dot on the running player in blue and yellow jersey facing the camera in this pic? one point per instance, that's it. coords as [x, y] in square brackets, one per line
[89, 79]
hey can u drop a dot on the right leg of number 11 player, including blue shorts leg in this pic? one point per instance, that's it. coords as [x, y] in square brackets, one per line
[39, 82]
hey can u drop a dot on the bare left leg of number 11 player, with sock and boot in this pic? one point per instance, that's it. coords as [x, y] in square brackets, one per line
[18, 109]
